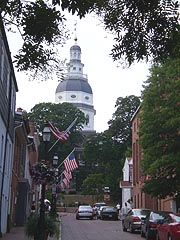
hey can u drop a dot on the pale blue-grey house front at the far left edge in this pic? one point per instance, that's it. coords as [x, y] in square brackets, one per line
[8, 89]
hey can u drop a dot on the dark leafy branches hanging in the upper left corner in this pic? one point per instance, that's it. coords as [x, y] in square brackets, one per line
[42, 27]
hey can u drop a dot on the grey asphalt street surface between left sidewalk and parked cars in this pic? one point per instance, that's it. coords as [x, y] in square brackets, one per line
[72, 229]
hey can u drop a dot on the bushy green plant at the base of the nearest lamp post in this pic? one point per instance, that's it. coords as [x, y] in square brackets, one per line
[32, 227]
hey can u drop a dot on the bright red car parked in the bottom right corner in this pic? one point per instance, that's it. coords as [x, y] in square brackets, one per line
[169, 228]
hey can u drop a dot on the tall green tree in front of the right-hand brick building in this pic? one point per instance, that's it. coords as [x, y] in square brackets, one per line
[160, 129]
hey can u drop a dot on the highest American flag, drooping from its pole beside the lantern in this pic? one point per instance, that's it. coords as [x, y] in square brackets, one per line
[62, 136]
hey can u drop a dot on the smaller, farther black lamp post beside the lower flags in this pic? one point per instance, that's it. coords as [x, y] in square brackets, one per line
[53, 204]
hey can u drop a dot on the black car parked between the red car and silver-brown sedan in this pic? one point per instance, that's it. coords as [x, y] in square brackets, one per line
[150, 222]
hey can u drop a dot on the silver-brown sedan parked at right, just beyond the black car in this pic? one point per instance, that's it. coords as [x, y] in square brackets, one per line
[132, 220]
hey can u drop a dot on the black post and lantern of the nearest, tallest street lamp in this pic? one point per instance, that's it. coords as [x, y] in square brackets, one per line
[46, 139]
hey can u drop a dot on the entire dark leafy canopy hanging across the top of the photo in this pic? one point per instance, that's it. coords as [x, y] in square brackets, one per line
[142, 29]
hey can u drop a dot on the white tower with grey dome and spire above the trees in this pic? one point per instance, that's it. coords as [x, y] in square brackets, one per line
[75, 88]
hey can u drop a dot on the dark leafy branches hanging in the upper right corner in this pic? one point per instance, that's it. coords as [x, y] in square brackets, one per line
[142, 29]
